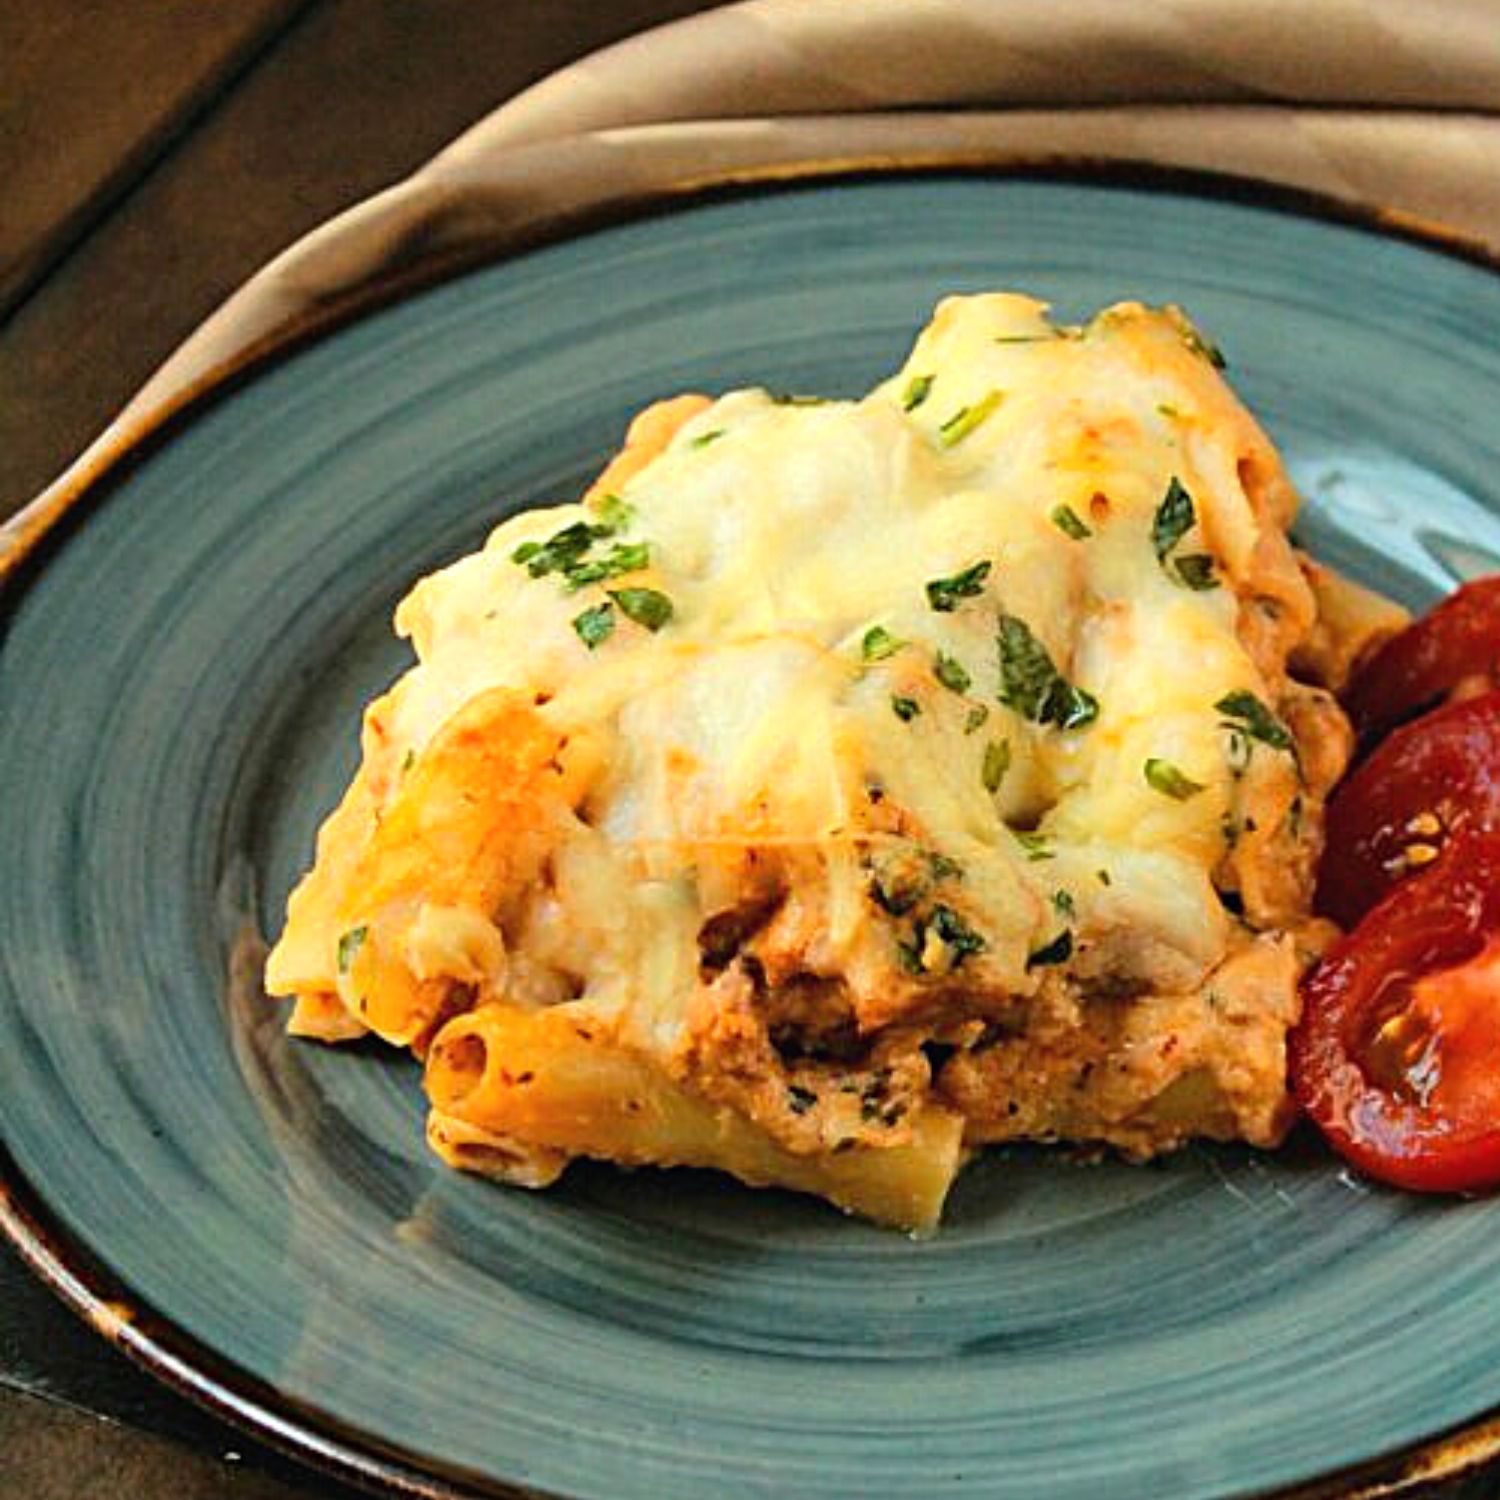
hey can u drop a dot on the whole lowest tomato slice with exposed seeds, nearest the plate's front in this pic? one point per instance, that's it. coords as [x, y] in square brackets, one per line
[1397, 1057]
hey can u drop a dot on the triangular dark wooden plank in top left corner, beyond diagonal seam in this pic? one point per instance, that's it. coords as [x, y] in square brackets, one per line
[91, 92]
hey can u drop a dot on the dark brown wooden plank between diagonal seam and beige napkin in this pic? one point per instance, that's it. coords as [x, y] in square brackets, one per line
[350, 100]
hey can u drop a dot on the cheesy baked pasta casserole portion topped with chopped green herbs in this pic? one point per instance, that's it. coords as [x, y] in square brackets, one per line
[844, 787]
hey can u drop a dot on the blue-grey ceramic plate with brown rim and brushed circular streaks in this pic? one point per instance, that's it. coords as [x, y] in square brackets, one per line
[181, 677]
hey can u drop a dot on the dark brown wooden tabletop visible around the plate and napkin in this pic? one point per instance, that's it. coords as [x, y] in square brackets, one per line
[152, 157]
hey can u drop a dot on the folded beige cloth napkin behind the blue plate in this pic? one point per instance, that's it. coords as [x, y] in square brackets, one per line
[1387, 103]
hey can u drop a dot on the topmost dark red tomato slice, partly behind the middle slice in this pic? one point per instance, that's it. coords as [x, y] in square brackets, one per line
[1412, 671]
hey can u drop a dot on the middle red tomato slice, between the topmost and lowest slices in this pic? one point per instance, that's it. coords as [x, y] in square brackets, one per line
[1394, 815]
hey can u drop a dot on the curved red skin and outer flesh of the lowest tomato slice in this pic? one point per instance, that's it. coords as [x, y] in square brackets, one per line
[1432, 922]
